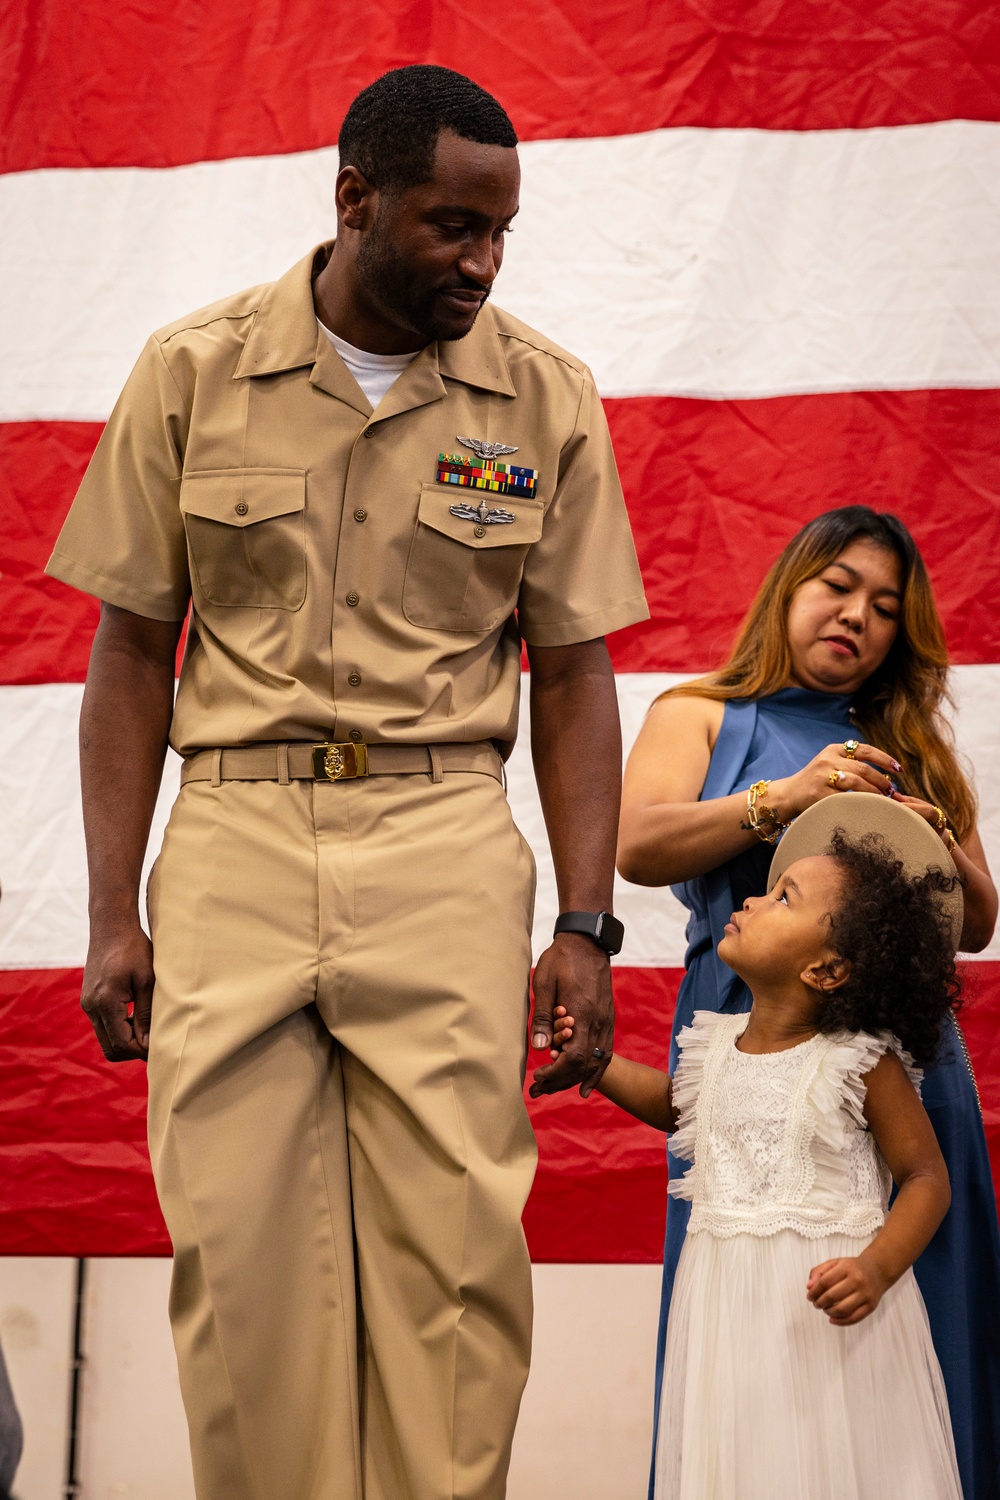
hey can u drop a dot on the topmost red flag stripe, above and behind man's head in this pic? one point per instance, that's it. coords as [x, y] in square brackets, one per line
[92, 85]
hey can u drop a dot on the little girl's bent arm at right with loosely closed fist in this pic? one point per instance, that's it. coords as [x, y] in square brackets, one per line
[849, 1289]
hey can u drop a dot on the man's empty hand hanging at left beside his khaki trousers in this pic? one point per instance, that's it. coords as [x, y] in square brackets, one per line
[118, 992]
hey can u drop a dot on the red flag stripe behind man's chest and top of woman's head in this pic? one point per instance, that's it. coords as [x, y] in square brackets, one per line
[714, 488]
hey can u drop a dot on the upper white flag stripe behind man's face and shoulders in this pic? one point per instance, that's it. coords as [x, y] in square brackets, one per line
[686, 263]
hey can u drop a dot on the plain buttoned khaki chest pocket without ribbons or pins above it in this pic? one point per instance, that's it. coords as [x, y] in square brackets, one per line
[247, 536]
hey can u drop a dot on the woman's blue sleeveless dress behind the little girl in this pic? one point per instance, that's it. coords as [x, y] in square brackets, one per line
[960, 1271]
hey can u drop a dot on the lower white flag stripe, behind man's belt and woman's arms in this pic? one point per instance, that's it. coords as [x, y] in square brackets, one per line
[43, 865]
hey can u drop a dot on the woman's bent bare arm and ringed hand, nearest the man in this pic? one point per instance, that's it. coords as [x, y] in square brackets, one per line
[666, 835]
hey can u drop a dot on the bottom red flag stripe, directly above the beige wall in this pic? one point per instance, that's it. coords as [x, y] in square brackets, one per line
[77, 1177]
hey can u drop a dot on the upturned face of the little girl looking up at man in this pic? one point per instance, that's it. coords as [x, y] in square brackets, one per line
[780, 938]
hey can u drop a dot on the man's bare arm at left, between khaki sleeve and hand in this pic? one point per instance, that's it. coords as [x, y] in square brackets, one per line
[124, 728]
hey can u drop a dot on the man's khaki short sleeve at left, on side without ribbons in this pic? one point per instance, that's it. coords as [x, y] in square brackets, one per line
[124, 538]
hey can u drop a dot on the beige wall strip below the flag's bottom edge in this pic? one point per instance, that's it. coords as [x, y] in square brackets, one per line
[585, 1420]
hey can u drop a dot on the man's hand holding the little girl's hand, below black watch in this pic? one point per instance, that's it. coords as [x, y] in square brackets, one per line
[576, 977]
